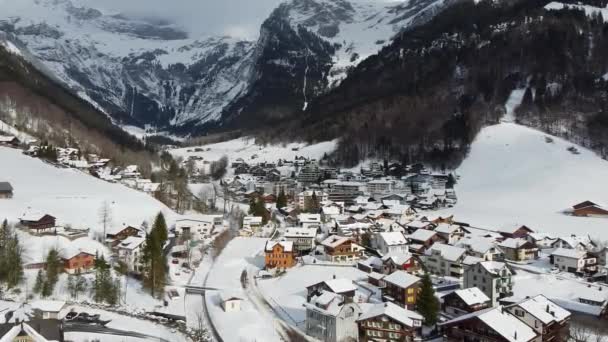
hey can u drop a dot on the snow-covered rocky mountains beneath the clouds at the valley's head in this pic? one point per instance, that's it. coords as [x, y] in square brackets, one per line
[152, 72]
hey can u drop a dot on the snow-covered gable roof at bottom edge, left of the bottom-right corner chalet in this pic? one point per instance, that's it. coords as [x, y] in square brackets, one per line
[505, 324]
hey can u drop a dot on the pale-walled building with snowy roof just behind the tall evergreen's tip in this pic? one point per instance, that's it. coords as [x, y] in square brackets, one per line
[445, 260]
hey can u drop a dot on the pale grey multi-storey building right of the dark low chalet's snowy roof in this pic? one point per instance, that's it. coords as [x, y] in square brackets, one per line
[492, 278]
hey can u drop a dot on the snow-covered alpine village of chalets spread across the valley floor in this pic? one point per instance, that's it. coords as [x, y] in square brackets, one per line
[336, 255]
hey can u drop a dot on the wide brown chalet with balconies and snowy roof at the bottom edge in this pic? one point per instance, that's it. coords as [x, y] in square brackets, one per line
[389, 322]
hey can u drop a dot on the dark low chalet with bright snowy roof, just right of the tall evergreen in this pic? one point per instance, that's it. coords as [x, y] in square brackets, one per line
[462, 302]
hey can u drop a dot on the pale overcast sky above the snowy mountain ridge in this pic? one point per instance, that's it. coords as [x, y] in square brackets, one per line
[240, 18]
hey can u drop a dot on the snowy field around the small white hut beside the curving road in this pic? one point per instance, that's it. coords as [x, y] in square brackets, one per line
[249, 324]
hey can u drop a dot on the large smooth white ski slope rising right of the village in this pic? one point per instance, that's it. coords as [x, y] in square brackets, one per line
[513, 176]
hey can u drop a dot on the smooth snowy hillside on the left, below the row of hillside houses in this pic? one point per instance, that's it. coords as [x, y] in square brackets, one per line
[71, 196]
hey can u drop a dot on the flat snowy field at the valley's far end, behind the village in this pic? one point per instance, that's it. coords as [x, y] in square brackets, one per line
[246, 148]
